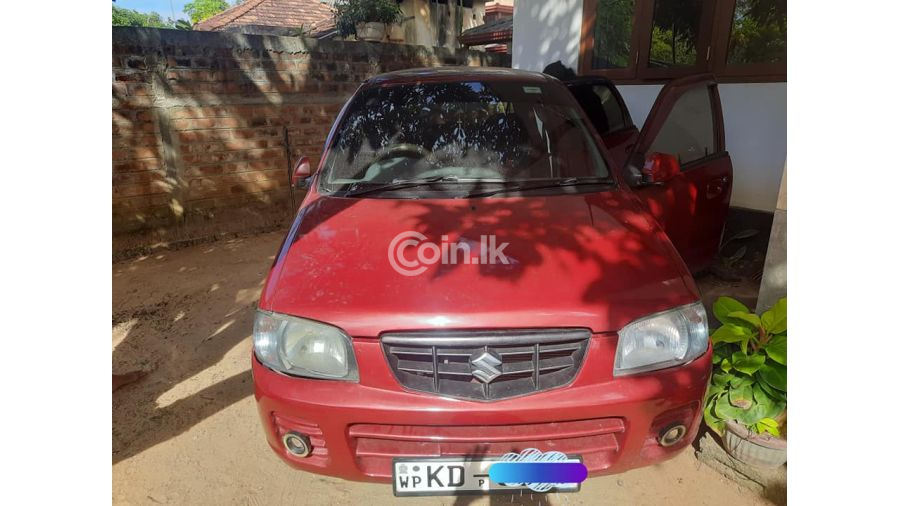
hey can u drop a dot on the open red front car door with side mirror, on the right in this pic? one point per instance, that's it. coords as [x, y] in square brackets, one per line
[680, 169]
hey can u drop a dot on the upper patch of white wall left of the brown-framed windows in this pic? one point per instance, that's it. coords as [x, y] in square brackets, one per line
[545, 31]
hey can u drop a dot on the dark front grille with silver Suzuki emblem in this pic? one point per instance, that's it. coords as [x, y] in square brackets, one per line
[486, 365]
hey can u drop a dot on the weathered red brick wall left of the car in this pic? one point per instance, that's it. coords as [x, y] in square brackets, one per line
[199, 120]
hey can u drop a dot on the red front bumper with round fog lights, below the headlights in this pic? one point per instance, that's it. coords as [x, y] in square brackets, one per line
[355, 429]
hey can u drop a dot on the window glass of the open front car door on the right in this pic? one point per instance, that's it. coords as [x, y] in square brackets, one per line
[689, 130]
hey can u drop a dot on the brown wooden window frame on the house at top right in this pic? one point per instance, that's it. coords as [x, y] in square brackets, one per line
[715, 31]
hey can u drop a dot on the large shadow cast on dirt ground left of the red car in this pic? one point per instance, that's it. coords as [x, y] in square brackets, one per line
[187, 323]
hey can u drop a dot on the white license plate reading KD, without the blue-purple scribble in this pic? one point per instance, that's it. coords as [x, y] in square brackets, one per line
[455, 476]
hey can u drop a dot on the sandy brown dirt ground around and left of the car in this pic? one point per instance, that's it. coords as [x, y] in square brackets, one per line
[188, 431]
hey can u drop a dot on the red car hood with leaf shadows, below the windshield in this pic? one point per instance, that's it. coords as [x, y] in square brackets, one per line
[577, 260]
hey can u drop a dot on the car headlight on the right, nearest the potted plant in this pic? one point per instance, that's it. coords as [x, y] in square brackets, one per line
[662, 340]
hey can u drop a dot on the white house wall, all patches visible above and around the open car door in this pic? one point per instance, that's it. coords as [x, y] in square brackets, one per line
[755, 113]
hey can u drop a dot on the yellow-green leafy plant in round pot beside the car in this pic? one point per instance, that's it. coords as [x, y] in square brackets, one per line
[747, 399]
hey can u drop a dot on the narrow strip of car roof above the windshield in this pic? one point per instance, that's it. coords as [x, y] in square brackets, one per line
[458, 73]
